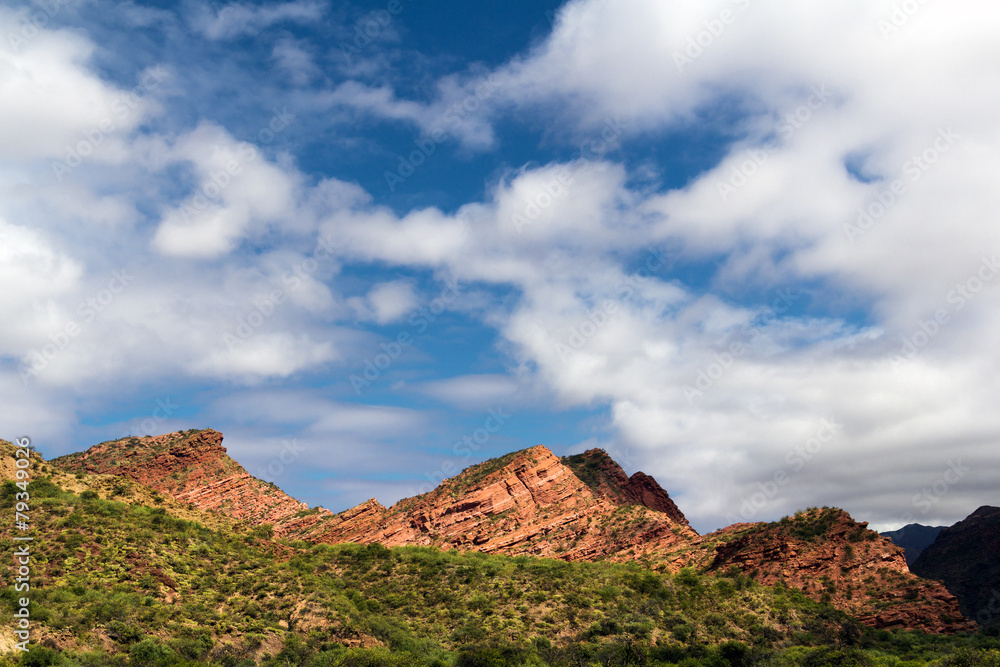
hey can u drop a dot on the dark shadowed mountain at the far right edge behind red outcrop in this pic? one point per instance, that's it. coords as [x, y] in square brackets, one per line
[965, 558]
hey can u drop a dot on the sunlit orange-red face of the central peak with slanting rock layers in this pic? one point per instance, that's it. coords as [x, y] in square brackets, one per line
[528, 502]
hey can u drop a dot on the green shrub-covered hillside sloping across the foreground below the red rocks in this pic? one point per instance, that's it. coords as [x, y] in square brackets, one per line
[117, 582]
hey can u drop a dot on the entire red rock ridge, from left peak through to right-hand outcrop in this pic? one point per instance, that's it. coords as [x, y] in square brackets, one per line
[578, 508]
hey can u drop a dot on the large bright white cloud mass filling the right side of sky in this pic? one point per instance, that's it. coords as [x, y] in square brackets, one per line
[721, 387]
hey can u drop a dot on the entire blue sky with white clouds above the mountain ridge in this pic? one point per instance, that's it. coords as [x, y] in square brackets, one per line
[749, 247]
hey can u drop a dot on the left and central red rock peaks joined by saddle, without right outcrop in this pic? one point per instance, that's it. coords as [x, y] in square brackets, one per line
[527, 502]
